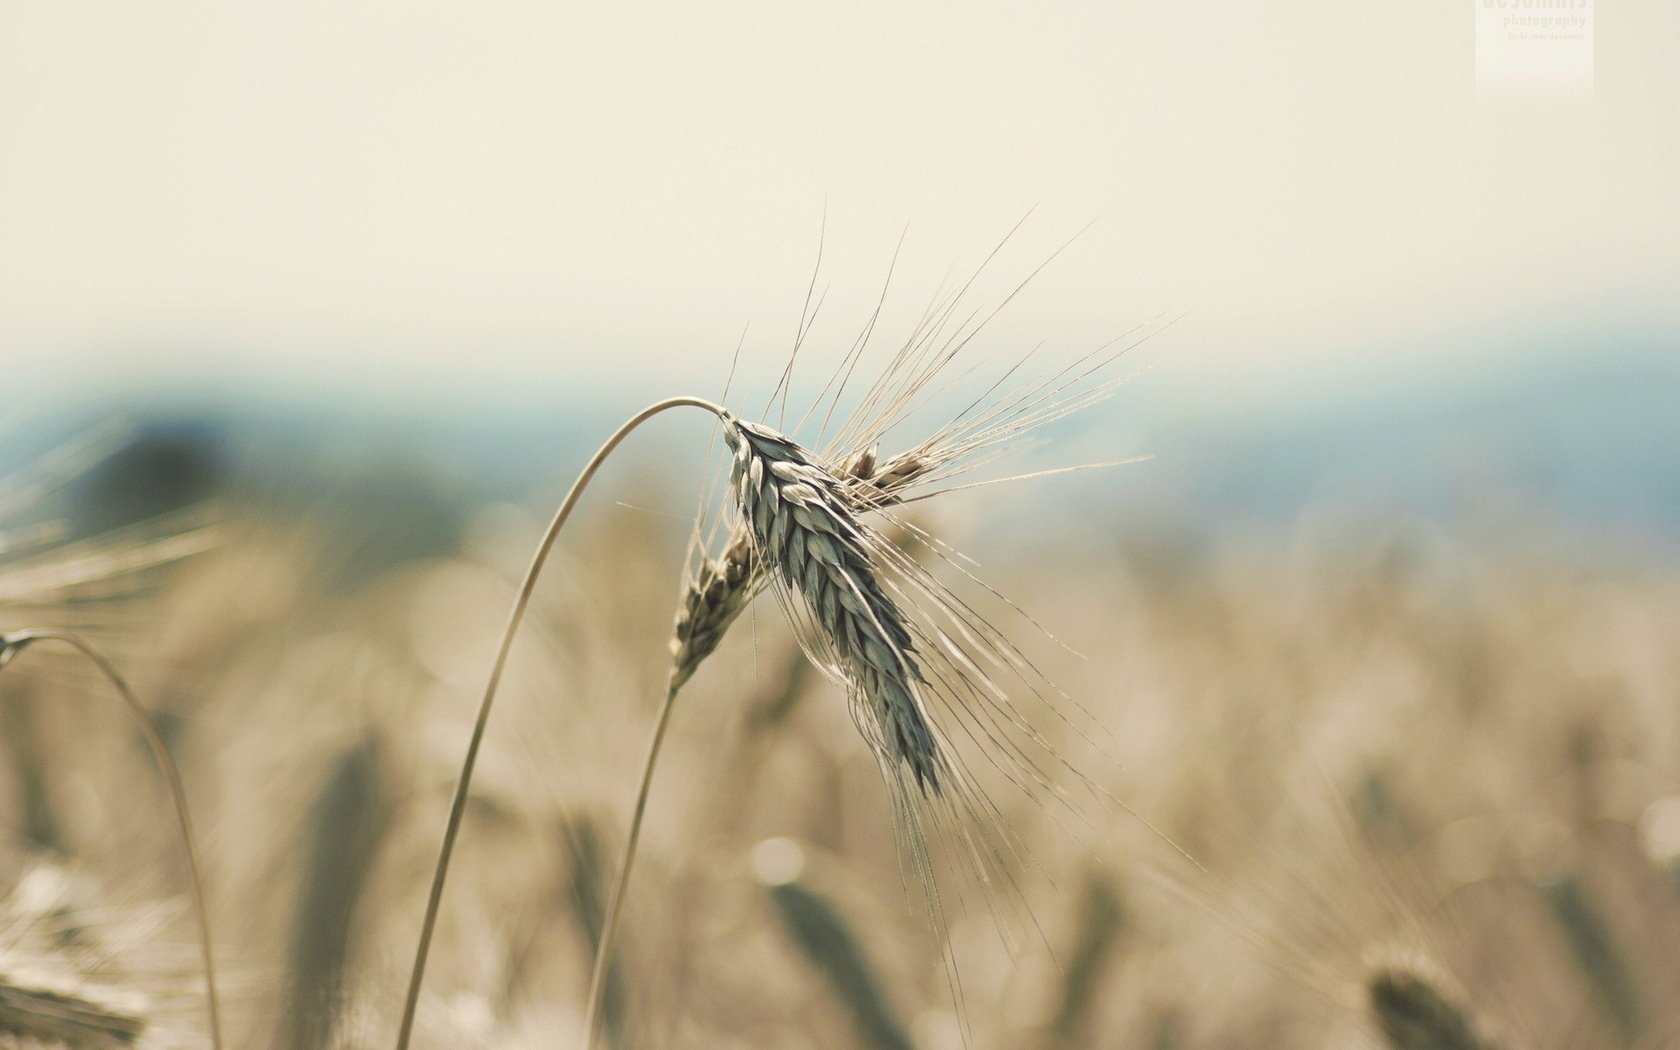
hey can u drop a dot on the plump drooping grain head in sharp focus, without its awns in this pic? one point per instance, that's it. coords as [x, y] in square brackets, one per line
[807, 532]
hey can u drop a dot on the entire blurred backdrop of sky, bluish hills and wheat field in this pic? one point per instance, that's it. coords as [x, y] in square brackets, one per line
[308, 317]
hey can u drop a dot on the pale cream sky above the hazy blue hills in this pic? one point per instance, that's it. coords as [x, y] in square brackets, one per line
[520, 194]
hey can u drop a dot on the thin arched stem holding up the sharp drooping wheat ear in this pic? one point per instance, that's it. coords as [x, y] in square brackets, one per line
[459, 806]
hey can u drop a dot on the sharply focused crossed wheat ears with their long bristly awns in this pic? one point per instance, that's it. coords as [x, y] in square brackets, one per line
[925, 671]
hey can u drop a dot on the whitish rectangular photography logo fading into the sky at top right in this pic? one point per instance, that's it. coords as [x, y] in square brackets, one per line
[1533, 50]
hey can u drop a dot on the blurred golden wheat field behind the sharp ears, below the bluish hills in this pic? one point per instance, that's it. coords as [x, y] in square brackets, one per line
[1436, 792]
